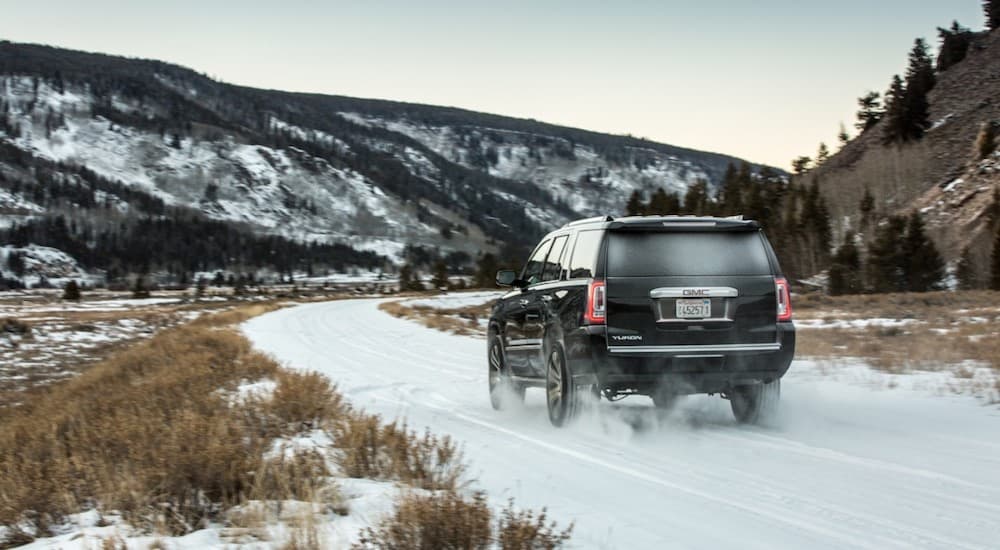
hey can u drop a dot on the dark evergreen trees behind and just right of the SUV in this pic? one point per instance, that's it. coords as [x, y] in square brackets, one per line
[899, 257]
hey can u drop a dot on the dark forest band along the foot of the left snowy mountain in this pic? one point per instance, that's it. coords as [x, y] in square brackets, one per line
[84, 219]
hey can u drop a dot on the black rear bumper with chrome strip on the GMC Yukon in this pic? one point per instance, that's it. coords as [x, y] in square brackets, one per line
[682, 369]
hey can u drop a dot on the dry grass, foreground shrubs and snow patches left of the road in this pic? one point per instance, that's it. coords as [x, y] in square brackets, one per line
[148, 433]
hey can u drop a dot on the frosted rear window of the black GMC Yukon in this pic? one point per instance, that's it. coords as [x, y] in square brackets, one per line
[658, 254]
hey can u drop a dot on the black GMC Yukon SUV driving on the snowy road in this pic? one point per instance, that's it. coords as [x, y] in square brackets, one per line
[653, 305]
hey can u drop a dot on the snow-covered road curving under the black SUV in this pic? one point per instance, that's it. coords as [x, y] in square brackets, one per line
[846, 466]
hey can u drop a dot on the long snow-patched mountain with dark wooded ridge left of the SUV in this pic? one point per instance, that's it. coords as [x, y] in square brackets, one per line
[374, 175]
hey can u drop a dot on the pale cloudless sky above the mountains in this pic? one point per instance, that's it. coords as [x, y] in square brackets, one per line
[765, 80]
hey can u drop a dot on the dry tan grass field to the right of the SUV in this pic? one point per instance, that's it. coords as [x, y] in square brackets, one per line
[944, 329]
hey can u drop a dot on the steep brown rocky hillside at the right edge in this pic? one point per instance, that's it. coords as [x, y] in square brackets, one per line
[939, 175]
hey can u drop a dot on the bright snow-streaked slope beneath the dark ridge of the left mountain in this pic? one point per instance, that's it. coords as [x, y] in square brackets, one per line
[285, 191]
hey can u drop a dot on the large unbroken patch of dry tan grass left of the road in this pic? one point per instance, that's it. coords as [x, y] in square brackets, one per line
[146, 432]
